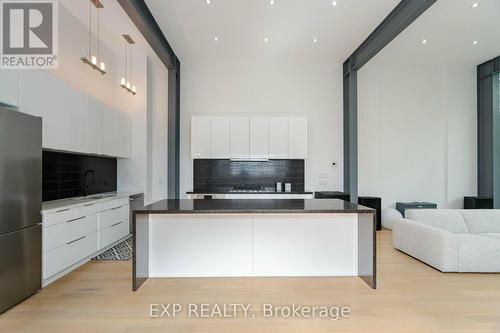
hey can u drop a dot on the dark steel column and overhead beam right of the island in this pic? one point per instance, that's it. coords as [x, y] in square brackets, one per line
[406, 12]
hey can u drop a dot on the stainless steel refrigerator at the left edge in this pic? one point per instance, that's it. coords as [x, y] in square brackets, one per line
[20, 206]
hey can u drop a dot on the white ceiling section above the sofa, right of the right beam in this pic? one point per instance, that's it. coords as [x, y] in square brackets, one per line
[450, 27]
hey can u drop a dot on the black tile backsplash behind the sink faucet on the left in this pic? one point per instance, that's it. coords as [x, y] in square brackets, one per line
[63, 175]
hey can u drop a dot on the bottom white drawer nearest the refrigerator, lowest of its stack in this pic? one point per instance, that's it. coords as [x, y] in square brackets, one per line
[64, 256]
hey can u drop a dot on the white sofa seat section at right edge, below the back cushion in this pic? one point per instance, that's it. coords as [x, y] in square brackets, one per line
[478, 254]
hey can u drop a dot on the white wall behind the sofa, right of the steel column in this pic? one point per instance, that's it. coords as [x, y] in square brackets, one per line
[417, 132]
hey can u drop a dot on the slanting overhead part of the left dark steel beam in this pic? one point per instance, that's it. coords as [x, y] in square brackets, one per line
[140, 14]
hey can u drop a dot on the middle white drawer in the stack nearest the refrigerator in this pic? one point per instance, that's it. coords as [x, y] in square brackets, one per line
[62, 233]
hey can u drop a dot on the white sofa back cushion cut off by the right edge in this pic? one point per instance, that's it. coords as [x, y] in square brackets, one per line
[481, 221]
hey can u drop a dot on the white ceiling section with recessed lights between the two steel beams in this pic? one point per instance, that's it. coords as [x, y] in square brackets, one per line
[241, 26]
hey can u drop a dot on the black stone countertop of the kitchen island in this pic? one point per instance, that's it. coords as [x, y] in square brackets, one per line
[250, 206]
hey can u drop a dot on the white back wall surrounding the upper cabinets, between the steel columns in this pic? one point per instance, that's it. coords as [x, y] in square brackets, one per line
[314, 91]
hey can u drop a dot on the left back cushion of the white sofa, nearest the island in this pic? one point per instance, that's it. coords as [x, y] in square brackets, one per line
[447, 219]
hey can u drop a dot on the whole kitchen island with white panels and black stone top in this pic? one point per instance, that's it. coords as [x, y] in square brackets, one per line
[253, 237]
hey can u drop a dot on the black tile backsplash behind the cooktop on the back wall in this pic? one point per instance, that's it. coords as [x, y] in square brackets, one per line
[222, 175]
